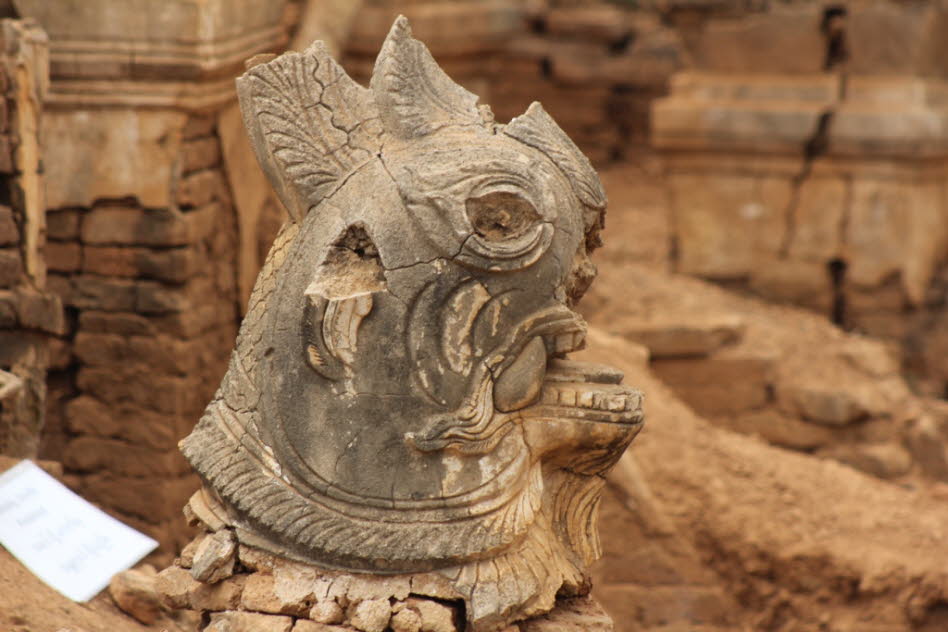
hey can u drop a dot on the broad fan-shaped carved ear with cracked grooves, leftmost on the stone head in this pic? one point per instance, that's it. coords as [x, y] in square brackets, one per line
[309, 123]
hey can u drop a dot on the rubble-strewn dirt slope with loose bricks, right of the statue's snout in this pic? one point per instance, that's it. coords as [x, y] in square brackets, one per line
[782, 373]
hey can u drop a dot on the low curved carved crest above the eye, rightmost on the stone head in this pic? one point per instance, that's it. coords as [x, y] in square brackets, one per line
[537, 129]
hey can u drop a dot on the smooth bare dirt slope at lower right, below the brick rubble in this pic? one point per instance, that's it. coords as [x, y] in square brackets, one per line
[798, 542]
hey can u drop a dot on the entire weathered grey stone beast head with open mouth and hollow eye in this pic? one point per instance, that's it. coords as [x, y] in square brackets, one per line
[400, 398]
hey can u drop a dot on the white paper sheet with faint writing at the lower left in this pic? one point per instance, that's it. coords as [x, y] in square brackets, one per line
[69, 544]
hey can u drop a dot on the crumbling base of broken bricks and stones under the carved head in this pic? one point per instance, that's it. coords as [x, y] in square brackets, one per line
[242, 588]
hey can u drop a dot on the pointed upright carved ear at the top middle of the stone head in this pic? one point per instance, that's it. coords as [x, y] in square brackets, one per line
[414, 96]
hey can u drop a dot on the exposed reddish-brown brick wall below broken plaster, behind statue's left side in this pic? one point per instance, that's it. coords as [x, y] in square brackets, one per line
[151, 298]
